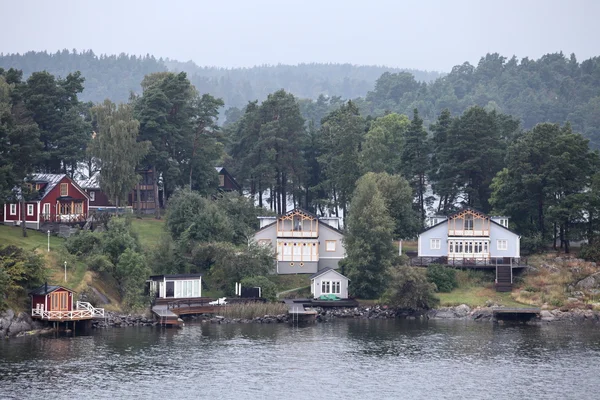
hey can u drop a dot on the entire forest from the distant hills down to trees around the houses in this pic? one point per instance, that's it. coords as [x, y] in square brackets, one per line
[507, 137]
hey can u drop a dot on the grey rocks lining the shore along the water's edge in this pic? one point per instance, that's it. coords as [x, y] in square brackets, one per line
[21, 324]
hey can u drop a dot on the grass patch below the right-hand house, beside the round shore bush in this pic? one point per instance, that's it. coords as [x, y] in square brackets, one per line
[477, 296]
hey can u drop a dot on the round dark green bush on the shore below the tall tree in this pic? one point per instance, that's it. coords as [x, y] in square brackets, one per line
[409, 290]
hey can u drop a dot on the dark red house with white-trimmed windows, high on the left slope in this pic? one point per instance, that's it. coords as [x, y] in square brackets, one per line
[57, 198]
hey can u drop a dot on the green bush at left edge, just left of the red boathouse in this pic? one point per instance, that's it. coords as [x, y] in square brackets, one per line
[19, 270]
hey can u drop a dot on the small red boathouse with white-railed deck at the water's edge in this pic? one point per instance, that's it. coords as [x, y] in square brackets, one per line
[55, 303]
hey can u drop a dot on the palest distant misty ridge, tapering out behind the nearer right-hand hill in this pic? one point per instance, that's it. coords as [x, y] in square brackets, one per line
[115, 76]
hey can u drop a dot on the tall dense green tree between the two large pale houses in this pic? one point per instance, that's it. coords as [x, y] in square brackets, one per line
[368, 240]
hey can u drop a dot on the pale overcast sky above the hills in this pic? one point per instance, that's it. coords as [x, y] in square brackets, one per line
[423, 34]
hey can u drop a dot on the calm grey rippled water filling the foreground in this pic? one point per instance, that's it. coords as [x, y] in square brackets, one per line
[354, 359]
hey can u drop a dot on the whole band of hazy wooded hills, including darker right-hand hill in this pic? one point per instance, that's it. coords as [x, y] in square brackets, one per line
[554, 88]
